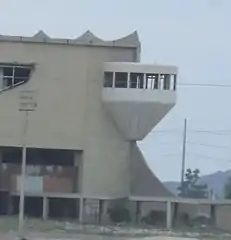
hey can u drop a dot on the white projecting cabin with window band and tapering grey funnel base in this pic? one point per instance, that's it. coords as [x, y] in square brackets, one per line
[137, 96]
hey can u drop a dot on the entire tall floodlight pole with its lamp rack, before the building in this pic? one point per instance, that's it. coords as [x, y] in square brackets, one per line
[27, 104]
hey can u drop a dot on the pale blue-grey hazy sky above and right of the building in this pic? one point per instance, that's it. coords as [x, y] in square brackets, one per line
[192, 34]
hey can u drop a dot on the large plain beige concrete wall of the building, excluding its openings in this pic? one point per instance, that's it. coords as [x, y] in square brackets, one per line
[69, 114]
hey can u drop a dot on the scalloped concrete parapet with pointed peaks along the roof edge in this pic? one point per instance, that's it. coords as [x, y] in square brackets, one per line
[88, 38]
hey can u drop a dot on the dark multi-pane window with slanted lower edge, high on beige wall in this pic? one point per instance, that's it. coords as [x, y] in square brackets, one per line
[13, 75]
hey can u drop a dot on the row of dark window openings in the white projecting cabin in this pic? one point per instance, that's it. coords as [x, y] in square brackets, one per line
[152, 81]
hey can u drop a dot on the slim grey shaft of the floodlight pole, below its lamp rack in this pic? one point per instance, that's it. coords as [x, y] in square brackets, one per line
[23, 174]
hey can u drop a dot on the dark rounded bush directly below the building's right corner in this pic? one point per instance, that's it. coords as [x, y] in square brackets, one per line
[119, 214]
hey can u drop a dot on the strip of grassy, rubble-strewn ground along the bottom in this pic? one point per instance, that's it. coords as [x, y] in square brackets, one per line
[51, 230]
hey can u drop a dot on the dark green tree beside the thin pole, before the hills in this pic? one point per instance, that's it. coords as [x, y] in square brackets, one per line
[191, 188]
